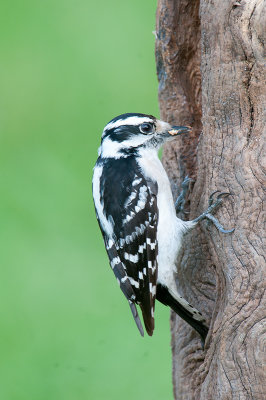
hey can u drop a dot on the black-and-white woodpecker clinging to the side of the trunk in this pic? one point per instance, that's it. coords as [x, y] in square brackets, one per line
[138, 219]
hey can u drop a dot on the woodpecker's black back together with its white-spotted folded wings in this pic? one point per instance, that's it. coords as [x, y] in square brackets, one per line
[128, 202]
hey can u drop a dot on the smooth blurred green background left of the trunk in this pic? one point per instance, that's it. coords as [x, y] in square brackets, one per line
[67, 68]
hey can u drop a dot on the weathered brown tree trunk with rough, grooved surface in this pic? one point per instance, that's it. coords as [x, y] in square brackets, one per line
[209, 57]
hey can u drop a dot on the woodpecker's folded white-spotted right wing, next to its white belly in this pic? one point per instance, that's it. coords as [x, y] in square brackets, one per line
[138, 249]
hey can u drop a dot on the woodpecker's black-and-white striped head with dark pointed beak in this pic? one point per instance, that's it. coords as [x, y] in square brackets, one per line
[129, 133]
